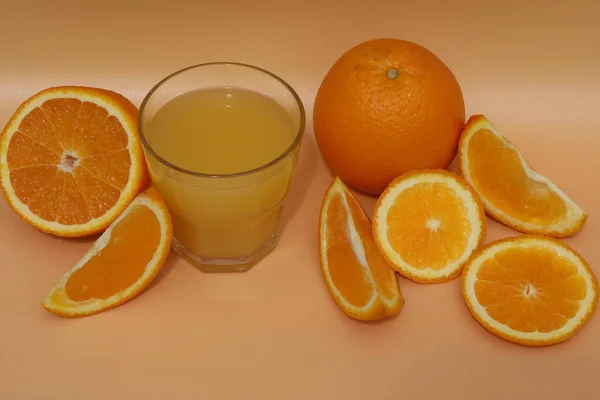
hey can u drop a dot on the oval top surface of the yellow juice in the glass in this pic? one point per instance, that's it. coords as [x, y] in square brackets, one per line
[220, 130]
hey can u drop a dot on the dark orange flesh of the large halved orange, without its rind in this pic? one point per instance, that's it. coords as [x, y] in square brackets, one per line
[58, 130]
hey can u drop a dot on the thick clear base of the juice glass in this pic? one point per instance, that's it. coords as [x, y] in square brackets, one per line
[241, 264]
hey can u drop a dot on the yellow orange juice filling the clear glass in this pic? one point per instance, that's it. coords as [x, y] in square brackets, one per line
[212, 138]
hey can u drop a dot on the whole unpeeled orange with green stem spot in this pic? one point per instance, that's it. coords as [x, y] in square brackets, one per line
[387, 106]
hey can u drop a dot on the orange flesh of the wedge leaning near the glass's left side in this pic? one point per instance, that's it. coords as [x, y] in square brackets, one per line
[132, 244]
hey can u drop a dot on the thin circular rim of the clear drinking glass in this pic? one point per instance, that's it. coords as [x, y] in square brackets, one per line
[286, 153]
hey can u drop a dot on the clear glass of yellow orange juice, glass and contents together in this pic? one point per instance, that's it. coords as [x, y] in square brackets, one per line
[221, 141]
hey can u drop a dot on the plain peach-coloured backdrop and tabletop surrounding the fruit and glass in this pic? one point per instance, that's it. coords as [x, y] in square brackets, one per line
[274, 333]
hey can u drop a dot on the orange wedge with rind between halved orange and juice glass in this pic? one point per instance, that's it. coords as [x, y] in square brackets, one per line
[120, 264]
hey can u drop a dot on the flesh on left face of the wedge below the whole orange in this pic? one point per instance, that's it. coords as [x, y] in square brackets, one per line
[347, 274]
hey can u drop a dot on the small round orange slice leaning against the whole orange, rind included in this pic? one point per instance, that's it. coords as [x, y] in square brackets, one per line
[427, 223]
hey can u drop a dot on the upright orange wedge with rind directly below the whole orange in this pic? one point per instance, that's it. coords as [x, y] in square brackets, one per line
[360, 281]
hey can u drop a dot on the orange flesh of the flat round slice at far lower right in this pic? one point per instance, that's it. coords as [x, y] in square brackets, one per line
[530, 289]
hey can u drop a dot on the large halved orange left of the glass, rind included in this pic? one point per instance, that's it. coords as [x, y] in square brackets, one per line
[71, 160]
